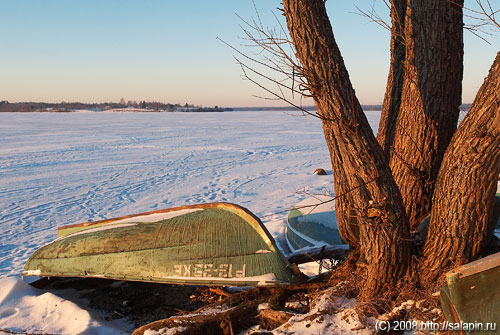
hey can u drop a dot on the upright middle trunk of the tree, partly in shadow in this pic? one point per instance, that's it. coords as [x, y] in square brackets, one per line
[416, 135]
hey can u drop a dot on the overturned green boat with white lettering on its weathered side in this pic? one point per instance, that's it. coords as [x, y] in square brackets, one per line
[217, 243]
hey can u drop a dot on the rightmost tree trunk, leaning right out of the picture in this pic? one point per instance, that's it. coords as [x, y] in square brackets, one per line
[464, 196]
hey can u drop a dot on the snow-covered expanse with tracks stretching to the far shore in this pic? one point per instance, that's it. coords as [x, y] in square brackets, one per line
[64, 168]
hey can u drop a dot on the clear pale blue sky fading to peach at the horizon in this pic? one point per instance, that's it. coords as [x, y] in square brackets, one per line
[162, 50]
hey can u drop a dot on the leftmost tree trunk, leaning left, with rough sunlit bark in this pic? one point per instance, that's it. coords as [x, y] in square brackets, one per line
[362, 177]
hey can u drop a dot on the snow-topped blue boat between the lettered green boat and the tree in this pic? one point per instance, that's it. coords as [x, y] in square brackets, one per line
[312, 224]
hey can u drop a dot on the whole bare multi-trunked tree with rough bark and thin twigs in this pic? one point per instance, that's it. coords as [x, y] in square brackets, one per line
[421, 163]
